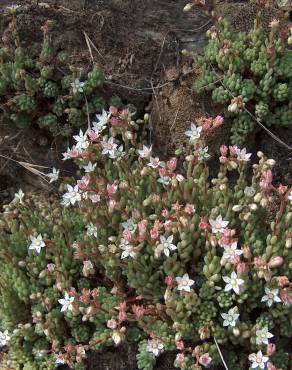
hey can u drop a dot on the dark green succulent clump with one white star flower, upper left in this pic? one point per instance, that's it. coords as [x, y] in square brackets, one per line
[46, 91]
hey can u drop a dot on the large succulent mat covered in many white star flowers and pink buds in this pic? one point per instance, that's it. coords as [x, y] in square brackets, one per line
[150, 251]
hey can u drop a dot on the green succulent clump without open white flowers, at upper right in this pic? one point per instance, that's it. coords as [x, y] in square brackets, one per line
[248, 72]
